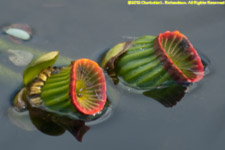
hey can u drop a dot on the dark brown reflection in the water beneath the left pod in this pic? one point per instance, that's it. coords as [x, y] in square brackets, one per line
[54, 125]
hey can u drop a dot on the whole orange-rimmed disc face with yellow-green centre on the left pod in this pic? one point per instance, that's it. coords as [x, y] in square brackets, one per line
[87, 87]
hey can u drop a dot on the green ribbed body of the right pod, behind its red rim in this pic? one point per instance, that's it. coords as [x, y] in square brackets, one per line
[140, 68]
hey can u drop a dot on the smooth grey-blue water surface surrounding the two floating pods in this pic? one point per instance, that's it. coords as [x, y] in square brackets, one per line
[85, 29]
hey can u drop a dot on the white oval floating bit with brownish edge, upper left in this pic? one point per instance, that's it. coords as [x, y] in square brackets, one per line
[19, 31]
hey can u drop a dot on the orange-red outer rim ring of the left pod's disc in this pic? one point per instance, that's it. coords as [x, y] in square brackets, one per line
[73, 81]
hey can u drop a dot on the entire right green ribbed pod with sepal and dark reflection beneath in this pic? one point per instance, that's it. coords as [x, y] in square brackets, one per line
[156, 65]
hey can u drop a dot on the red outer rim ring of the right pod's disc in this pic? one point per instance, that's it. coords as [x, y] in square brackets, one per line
[172, 69]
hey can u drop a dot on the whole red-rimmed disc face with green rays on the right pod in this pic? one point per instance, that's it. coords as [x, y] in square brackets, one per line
[179, 57]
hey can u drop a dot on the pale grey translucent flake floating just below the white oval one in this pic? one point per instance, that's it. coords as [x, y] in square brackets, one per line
[19, 57]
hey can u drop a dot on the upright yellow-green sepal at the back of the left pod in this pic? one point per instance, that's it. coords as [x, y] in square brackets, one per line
[38, 65]
